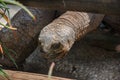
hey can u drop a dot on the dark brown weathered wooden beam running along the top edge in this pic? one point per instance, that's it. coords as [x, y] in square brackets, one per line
[96, 6]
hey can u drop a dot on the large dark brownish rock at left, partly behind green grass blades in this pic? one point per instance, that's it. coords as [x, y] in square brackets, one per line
[25, 39]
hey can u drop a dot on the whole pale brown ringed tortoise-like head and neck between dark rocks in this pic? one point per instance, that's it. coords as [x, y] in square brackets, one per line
[57, 38]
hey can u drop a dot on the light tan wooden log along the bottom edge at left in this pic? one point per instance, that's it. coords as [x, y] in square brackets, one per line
[19, 75]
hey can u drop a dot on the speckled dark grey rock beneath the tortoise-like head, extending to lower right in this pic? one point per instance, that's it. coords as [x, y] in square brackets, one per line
[83, 62]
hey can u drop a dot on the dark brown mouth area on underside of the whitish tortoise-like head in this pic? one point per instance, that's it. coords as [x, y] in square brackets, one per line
[57, 51]
